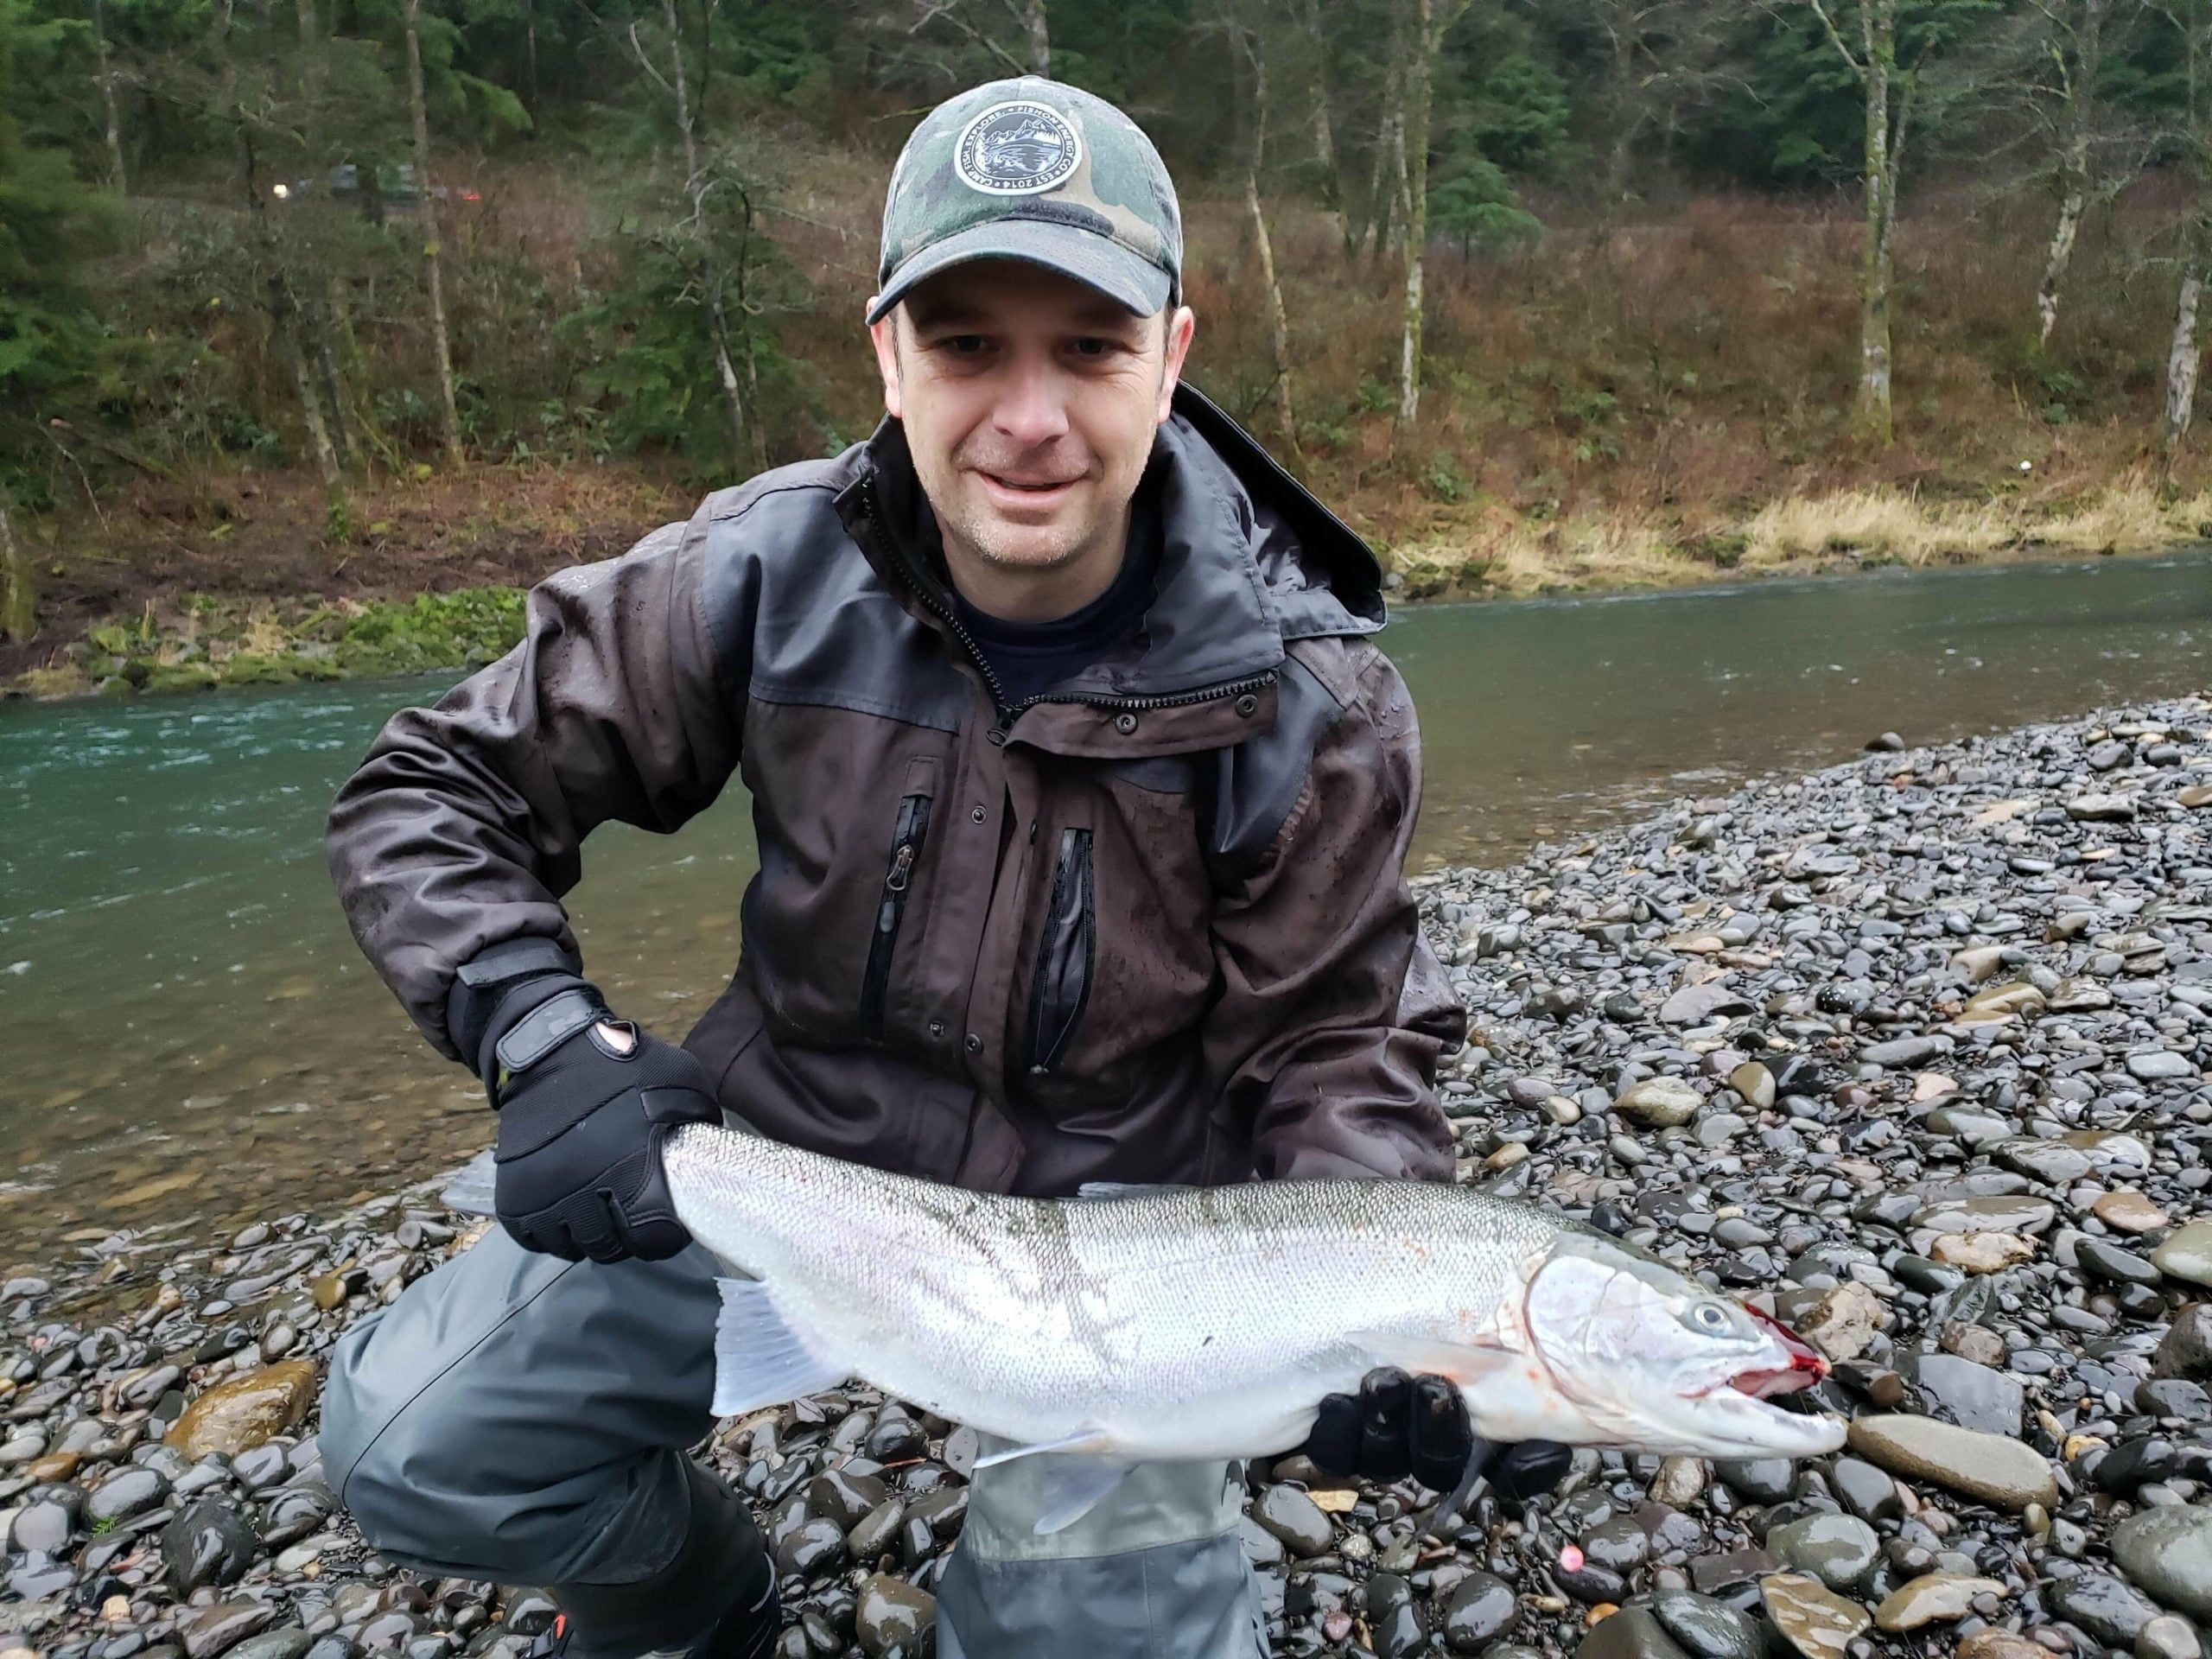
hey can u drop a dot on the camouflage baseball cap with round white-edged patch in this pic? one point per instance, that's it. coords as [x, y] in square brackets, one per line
[1030, 169]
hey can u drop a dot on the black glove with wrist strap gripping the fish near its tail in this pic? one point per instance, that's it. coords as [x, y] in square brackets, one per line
[585, 1107]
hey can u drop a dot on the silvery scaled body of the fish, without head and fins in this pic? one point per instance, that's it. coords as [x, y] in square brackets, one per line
[1178, 1324]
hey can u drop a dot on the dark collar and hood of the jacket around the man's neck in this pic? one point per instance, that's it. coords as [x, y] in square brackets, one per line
[1249, 559]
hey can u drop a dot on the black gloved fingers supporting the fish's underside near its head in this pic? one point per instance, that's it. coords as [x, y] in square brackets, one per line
[1417, 1426]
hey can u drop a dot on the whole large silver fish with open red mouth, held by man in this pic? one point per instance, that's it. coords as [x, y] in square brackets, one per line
[1193, 1324]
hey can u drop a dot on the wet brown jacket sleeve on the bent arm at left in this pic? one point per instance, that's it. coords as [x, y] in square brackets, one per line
[466, 822]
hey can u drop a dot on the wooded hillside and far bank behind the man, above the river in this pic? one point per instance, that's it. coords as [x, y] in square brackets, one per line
[326, 324]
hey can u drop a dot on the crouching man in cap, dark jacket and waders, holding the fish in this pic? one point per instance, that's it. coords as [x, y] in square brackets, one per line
[1083, 802]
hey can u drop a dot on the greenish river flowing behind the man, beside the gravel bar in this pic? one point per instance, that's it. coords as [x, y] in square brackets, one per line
[194, 1034]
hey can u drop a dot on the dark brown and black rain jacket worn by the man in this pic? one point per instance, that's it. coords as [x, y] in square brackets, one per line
[1147, 928]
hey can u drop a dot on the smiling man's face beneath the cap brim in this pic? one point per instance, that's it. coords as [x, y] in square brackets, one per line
[1030, 406]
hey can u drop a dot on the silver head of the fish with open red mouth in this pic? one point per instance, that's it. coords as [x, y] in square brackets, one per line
[1627, 1353]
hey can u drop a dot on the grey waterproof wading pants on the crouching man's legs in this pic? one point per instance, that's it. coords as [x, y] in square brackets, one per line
[523, 1419]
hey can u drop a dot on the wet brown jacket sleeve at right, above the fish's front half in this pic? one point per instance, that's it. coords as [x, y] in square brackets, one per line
[1333, 1008]
